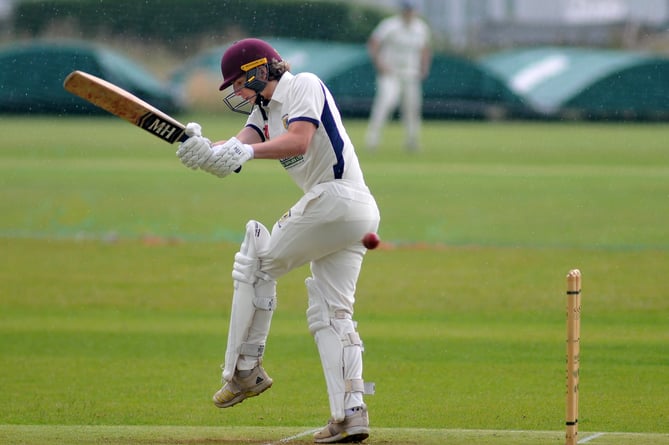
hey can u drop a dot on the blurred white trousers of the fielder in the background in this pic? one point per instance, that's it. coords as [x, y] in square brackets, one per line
[391, 89]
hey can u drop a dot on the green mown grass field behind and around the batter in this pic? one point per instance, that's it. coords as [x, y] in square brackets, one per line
[116, 285]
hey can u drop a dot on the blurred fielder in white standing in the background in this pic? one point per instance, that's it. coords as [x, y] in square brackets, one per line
[400, 50]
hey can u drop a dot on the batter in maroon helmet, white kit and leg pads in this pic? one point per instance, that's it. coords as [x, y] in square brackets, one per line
[293, 119]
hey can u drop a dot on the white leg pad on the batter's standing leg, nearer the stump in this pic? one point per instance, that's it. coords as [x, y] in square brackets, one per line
[340, 350]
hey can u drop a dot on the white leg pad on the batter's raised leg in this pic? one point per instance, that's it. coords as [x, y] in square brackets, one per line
[252, 309]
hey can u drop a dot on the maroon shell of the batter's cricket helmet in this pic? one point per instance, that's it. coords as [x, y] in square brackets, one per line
[244, 55]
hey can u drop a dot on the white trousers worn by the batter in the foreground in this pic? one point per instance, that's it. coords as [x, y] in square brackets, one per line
[324, 228]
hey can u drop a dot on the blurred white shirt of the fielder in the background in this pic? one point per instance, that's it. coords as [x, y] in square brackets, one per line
[402, 44]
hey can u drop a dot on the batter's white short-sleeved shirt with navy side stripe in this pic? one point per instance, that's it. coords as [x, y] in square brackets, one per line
[331, 155]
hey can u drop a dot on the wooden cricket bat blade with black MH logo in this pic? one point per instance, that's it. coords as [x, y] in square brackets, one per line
[125, 105]
